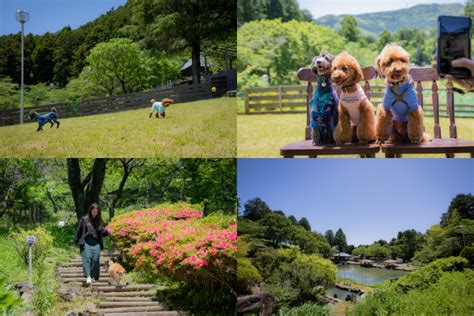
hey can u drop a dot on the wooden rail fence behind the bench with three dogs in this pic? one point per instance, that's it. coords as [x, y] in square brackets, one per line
[292, 99]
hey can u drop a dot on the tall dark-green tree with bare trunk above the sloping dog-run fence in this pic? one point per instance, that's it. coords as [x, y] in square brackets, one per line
[178, 24]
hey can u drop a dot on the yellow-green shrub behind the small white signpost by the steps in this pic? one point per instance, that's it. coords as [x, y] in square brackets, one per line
[44, 242]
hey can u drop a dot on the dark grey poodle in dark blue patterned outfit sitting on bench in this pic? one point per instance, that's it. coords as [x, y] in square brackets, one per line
[323, 106]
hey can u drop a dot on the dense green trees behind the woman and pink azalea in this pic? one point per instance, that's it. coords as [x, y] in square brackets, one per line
[35, 191]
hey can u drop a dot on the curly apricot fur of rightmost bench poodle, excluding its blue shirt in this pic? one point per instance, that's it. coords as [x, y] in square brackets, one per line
[393, 65]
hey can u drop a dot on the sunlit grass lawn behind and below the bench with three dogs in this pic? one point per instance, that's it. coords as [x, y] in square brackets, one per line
[263, 135]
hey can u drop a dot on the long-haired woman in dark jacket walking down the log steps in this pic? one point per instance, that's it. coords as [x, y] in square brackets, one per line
[89, 237]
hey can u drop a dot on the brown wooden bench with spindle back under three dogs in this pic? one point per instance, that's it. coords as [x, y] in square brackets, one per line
[448, 146]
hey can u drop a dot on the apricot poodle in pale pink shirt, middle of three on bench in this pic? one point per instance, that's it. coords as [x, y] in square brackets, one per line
[356, 112]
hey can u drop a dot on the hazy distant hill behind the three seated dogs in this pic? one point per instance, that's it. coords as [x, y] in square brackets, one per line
[423, 16]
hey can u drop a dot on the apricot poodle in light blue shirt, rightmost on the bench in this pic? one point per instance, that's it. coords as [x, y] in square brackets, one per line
[399, 117]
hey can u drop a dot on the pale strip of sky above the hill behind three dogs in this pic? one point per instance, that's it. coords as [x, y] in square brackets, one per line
[323, 7]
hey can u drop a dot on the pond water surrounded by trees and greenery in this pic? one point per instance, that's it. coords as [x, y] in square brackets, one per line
[367, 275]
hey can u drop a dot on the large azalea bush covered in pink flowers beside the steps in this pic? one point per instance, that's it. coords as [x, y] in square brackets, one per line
[177, 241]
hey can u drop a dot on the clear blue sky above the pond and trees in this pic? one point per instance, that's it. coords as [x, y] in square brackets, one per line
[369, 199]
